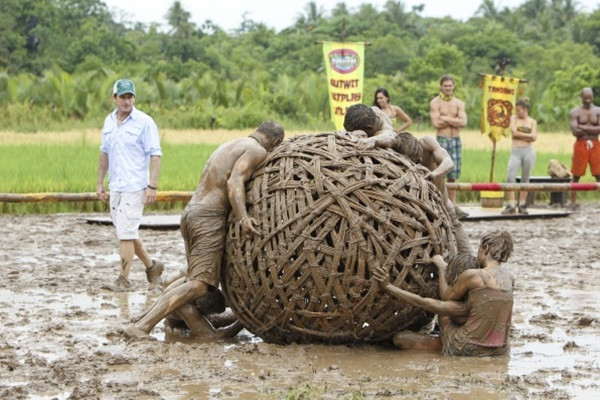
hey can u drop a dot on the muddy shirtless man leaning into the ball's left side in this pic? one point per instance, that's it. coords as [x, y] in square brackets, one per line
[222, 188]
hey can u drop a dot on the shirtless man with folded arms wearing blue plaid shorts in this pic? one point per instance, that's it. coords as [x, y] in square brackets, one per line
[448, 116]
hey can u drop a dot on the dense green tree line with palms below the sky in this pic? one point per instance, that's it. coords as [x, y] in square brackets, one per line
[59, 59]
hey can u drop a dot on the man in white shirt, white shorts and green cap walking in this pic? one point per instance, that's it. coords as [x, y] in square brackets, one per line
[130, 144]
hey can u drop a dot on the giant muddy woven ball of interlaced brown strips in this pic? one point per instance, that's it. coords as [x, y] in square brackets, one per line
[329, 214]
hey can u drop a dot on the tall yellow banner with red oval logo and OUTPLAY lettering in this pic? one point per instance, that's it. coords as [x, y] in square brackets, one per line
[345, 67]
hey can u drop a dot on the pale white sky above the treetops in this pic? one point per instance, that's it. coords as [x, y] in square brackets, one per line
[278, 14]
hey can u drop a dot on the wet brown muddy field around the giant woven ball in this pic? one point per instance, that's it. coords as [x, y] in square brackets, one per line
[59, 331]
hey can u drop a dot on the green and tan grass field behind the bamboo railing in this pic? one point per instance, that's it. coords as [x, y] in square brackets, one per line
[68, 162]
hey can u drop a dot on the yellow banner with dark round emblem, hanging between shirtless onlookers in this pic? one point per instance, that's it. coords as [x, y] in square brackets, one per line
[499, 96]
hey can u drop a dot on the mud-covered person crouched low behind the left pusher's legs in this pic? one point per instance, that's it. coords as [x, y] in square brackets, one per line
[204, 317]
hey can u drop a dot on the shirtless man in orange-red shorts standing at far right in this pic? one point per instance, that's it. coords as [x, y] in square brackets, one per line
[585, 126]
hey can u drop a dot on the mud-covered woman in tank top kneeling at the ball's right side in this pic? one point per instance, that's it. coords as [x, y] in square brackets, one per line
[487, 311]
